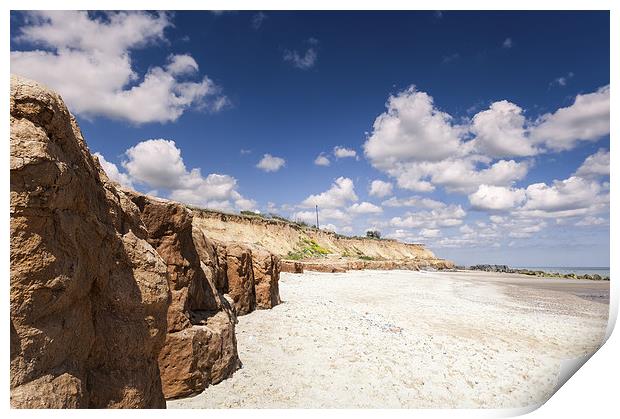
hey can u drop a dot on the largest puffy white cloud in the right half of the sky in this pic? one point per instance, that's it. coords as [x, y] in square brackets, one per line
[421, 147]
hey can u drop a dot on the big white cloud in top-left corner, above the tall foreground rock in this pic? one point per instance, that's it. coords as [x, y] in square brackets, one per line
[88, 61]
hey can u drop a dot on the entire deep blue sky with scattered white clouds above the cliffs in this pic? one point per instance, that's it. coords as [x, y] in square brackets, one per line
[487, 134]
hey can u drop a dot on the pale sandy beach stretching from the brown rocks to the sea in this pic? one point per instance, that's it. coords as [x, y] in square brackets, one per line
[406, 339]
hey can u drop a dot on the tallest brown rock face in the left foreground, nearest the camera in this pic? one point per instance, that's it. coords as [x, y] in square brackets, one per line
[89, 294]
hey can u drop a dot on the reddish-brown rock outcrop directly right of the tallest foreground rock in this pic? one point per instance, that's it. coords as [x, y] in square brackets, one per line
[200, 347]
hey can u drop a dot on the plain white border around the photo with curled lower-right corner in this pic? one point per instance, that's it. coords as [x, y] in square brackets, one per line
[593, 390]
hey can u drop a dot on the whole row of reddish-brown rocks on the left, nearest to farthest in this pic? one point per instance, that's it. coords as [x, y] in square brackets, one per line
[116, 301]
